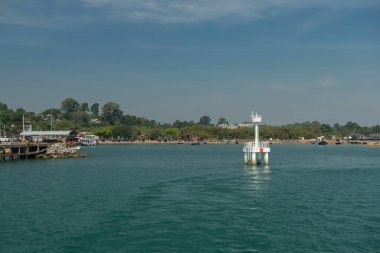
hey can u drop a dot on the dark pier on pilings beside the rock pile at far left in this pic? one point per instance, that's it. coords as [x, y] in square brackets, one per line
[17, 151]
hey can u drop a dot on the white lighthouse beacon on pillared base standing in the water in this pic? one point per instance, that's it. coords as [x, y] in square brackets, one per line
[252, 150]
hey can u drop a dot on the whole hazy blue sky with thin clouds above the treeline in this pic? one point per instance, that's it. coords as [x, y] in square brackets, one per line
[289, 60]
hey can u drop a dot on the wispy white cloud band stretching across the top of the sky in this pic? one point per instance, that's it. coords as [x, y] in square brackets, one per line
[40, 13]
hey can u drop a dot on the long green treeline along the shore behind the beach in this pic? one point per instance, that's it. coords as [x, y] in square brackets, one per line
[110, 122]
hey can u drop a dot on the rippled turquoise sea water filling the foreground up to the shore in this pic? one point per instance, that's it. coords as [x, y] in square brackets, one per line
[183, 198]
